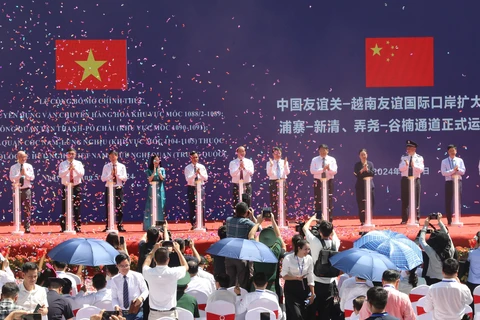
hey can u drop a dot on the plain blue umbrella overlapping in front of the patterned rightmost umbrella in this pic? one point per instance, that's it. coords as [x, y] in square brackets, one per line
[362, 263]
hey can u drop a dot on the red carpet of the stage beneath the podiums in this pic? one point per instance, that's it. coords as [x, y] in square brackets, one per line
[347, 229]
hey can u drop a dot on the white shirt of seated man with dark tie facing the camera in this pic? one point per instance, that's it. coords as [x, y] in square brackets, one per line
[136, 288]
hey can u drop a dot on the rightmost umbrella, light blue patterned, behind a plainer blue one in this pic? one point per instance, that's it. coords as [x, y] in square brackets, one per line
[403, 252]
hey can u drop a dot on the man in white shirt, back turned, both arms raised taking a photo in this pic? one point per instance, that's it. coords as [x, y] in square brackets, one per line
[163, 300]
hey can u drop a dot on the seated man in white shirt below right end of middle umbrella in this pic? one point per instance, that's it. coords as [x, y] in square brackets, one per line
[260, 282]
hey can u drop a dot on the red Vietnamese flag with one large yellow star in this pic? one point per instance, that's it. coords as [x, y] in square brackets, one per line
[91, 64]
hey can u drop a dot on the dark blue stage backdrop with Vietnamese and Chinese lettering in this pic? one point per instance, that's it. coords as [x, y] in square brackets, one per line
[213, 75]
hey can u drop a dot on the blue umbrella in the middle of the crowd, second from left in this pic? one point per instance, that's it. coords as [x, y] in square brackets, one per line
[243, 249]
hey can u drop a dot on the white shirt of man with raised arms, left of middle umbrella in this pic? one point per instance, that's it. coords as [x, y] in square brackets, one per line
[164, 280]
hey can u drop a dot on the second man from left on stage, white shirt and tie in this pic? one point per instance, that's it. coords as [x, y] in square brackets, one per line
[71, 171]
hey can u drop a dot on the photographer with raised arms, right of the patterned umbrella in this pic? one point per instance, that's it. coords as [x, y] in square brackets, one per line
[438, 248]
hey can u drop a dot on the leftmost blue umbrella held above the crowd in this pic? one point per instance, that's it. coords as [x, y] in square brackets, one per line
[85, 252]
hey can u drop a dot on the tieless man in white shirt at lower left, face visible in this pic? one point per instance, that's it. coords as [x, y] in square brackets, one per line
[31, 294]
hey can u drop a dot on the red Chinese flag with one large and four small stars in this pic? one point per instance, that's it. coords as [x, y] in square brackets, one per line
[399, 62]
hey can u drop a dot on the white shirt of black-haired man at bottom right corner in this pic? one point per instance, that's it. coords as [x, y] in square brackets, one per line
[447, 299]
